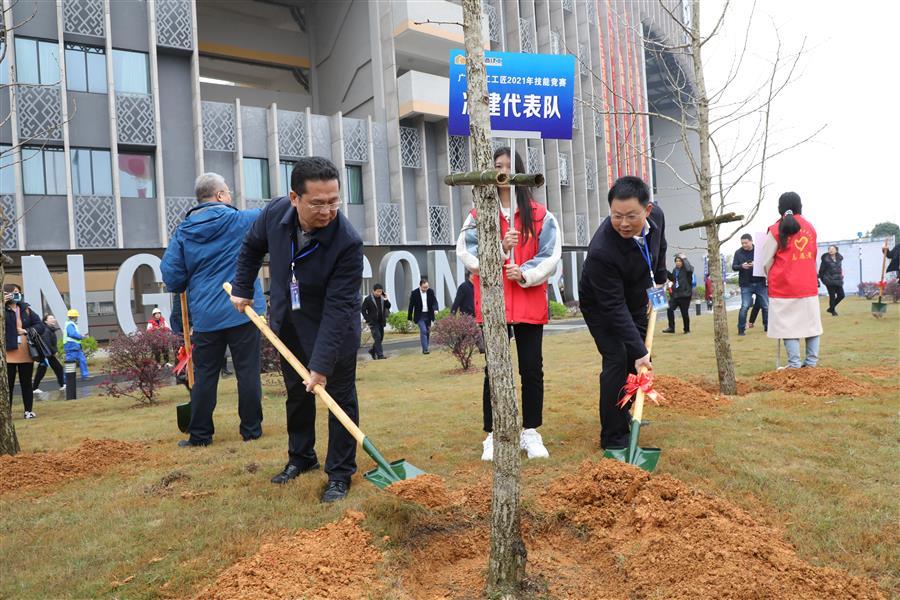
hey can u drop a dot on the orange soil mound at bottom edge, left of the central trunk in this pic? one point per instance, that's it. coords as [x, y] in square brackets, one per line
[335, 562]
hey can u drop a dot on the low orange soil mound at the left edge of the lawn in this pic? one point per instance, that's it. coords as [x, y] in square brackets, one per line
[48, 469]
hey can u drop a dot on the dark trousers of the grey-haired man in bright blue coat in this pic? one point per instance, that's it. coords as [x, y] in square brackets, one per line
[209, 356]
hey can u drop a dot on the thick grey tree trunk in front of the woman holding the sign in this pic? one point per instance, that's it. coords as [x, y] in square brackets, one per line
[506, 566]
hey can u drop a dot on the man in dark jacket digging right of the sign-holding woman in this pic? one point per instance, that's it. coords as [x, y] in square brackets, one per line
[626, 257]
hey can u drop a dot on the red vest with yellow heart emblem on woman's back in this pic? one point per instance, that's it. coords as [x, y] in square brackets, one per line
[793, 273]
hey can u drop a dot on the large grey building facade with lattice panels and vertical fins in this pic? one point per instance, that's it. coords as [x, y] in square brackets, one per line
[119, 104]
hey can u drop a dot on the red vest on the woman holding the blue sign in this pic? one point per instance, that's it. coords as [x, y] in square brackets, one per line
[523, 305]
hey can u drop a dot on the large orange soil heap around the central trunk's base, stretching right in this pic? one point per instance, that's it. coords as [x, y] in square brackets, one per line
[613, 531]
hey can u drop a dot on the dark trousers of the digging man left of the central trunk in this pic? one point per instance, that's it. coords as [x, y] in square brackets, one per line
[340, 462]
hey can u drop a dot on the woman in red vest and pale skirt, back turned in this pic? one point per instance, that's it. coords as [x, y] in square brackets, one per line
[790, 258]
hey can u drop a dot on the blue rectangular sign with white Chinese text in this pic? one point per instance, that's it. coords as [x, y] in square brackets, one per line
[527, 93]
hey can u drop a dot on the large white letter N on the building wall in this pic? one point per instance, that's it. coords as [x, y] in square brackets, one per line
[38, 282]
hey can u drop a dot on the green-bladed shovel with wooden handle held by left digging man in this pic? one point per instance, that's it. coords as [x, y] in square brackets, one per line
[384, 473]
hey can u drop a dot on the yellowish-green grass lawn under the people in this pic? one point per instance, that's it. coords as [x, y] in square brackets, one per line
[818, 467]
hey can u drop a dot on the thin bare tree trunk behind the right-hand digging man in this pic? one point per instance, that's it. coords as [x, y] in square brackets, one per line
[724, 360]
